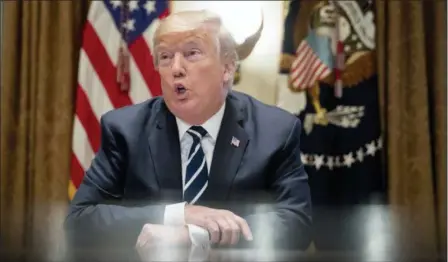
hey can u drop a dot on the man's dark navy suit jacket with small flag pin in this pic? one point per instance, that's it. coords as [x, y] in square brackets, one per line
[137, 171]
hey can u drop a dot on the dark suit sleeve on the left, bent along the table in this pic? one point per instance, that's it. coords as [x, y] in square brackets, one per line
[97, 214]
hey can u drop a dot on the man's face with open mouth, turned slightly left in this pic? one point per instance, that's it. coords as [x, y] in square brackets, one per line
[192, 75]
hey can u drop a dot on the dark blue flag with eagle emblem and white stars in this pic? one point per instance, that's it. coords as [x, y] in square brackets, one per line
[328, 79]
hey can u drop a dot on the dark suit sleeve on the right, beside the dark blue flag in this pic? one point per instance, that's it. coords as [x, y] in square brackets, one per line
[288, 224]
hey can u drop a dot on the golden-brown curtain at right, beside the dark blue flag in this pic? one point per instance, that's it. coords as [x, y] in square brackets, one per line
[411, 55]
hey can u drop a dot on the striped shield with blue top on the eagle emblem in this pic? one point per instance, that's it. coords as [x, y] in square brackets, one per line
[313, 62]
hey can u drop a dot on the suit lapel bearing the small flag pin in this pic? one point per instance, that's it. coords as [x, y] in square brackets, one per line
[227, 155]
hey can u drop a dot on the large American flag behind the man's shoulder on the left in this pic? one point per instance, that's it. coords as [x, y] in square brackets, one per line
[115, 69]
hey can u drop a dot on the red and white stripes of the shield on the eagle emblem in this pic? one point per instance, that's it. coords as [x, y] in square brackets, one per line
[307, 68]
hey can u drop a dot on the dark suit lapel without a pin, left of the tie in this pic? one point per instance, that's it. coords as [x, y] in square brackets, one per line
[165, 152]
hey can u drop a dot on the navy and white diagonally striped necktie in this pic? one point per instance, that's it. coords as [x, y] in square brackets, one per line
[196, 177]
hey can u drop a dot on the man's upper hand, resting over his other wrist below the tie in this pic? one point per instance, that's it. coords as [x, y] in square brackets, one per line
[223, 226]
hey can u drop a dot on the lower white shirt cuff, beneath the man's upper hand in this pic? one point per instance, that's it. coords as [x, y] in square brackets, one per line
[200, 243]
